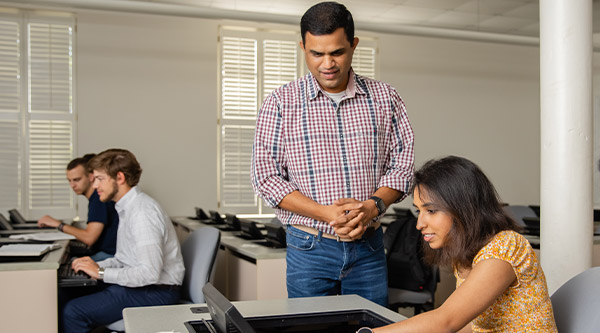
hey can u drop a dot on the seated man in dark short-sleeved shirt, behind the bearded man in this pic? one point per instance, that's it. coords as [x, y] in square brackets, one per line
[100, 233]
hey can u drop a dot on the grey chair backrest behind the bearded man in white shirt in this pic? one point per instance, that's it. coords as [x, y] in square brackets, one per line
[199, 252]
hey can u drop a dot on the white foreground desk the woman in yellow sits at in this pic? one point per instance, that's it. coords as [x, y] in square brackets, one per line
[172, 318]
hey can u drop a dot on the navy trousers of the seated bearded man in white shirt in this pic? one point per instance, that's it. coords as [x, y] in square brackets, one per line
[105, 307]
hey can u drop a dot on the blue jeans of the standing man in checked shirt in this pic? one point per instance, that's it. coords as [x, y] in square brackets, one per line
[318, 266]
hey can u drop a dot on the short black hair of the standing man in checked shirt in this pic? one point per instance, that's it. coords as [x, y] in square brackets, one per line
[326, 17]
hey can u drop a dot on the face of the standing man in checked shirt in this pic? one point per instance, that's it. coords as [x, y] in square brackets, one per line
[329, 57]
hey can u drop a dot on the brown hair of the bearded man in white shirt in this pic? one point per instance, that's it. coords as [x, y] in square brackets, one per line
[115, 160]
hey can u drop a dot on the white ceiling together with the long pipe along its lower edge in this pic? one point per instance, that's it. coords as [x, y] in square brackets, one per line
[517, 18]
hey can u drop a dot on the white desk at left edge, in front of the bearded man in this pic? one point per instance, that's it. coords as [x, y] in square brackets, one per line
[29, 292]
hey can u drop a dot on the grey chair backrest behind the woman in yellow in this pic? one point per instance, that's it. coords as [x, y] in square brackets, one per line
[576, 303]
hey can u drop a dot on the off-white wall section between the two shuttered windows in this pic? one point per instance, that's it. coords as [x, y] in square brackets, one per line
[149, 84]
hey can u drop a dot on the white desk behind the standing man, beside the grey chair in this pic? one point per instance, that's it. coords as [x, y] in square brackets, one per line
[244, 270]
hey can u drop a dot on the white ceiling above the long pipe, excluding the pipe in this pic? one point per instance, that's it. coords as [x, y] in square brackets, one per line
[514, 17]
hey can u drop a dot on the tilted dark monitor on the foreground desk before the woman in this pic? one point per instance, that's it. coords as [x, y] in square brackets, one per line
[224, 314]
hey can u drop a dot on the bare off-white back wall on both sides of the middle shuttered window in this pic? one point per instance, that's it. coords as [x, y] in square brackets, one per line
[149, 84]
